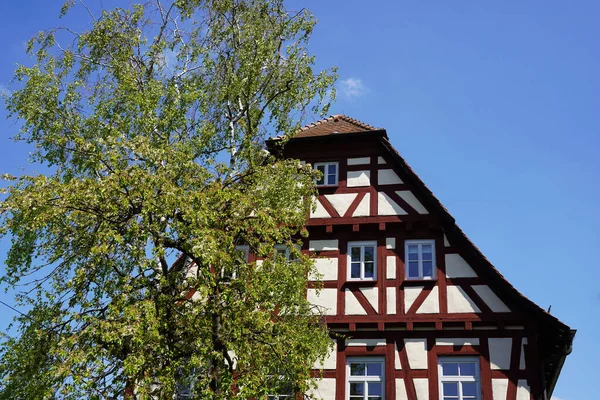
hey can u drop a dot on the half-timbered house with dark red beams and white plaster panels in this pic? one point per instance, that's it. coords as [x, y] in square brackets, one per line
[422, 313]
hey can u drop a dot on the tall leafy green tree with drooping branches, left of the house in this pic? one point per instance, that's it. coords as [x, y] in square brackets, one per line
[152, 126]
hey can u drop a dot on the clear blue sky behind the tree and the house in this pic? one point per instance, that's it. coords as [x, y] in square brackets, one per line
[495, 105]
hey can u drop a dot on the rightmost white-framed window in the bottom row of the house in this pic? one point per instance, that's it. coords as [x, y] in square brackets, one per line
[459, 378]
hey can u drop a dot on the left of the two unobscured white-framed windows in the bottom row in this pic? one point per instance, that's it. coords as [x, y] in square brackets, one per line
[365, 378]
